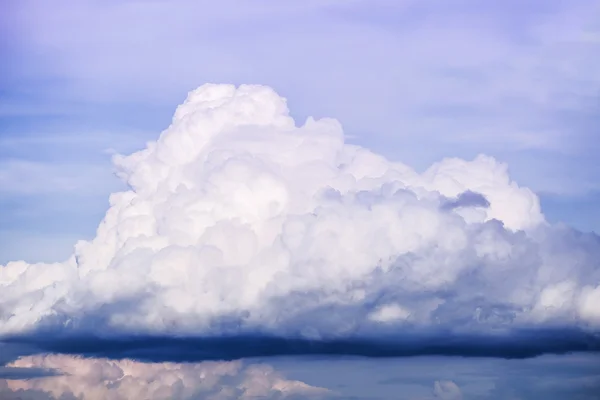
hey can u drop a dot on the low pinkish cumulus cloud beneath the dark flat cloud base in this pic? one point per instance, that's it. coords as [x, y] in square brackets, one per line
[91, 379]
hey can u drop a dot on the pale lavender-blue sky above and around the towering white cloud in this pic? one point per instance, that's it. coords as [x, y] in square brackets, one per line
[414, 80]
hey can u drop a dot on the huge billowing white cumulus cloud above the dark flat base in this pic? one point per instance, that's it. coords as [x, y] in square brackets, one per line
[238, 220]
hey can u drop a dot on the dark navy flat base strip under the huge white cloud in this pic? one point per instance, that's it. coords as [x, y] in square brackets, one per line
[524, 344]
